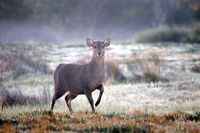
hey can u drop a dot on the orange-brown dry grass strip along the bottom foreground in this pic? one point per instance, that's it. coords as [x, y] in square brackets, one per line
[137, 121]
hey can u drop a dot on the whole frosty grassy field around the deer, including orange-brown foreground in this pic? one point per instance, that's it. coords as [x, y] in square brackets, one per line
[160, 91]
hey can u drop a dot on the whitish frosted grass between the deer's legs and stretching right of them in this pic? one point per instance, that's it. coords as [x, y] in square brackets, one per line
[125, 98]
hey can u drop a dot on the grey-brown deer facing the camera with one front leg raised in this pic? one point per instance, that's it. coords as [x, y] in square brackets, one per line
[77, 79]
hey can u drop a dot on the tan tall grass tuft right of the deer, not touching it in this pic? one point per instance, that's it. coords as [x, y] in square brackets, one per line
[149, 68]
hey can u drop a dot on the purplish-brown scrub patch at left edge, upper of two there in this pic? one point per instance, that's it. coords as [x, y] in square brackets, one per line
[14, 64]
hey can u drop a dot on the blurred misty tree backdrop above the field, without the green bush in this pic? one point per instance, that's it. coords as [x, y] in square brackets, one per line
[71, 20]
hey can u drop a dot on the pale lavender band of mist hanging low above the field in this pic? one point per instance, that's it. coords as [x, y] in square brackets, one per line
[23, 32]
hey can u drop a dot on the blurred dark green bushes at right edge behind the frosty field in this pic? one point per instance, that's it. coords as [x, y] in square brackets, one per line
[170, 34]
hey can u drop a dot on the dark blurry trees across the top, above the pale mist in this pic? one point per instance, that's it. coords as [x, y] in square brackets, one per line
[128, 12]
